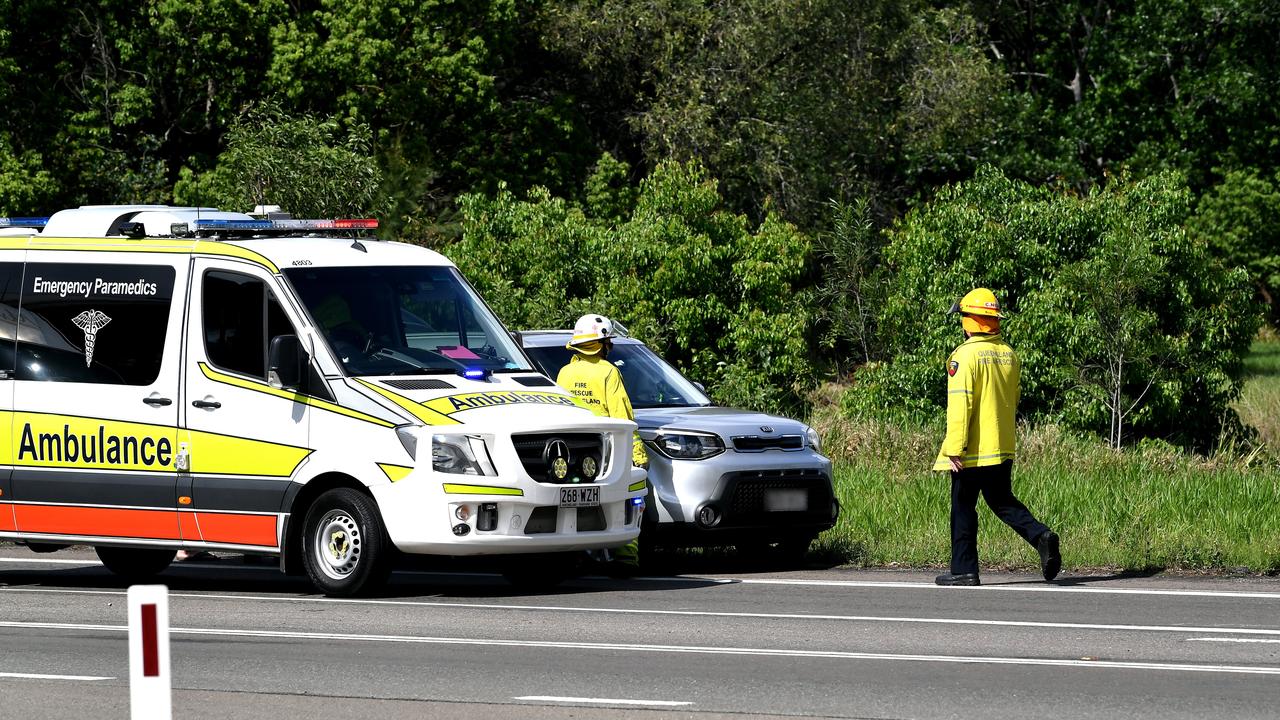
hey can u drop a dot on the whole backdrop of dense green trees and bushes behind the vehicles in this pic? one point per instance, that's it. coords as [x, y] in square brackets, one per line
[762, 149]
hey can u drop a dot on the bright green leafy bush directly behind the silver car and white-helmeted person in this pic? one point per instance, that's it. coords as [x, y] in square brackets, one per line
[688, 277]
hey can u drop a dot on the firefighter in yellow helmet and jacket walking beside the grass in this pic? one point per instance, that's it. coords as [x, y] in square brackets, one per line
[982, 403]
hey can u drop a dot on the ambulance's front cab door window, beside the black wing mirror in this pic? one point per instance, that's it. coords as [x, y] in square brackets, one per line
[241, 318]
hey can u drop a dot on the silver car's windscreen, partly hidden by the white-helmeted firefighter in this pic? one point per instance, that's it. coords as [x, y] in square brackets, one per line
[651, 382]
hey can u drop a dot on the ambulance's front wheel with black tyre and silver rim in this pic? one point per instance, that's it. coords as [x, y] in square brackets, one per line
[345, 545]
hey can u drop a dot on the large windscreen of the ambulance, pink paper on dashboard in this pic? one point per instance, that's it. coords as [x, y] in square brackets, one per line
[405, 321]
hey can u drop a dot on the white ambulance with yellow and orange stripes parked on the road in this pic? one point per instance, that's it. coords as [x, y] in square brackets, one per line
[188, 379]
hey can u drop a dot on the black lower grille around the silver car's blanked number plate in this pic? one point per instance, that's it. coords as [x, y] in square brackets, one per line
[746, 498]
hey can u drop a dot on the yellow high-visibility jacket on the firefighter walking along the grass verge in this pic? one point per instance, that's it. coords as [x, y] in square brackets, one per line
[982, 400]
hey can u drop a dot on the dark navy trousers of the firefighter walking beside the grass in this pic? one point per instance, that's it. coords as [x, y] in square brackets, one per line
[995, 484]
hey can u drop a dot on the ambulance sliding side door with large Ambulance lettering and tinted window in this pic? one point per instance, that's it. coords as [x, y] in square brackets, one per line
[95, 397]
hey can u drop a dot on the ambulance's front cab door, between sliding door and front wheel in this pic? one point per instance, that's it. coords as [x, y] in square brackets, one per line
[246, 439]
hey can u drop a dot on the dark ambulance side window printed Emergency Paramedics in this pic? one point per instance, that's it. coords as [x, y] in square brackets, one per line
[86, 323]
